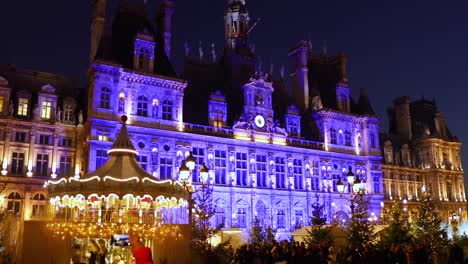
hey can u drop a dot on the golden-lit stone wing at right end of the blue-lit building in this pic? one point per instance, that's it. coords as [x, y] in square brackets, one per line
[420, 152]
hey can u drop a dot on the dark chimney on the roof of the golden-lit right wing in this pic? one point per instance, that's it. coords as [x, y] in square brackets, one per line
[403, 117]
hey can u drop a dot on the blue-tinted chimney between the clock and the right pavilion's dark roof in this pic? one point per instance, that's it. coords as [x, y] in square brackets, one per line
[298, 55]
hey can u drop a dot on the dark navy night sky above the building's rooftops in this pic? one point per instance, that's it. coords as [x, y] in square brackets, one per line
[400, 47]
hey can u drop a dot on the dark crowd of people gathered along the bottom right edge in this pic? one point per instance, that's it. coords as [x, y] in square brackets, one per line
[298, 253]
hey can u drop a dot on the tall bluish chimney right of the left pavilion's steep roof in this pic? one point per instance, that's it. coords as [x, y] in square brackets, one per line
[164, 18]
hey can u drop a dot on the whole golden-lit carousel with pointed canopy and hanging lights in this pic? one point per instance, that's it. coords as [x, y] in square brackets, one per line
[118, 198]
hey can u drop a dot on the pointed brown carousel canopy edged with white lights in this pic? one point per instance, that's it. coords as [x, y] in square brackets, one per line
[121, 175]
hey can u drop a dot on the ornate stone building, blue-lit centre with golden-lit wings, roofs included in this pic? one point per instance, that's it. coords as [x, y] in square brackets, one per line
[271, 153]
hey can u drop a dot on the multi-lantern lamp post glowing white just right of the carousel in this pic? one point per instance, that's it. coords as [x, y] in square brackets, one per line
[185, 176]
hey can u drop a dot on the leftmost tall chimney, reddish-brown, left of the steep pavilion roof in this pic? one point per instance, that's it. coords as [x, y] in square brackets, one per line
[97, 27]
